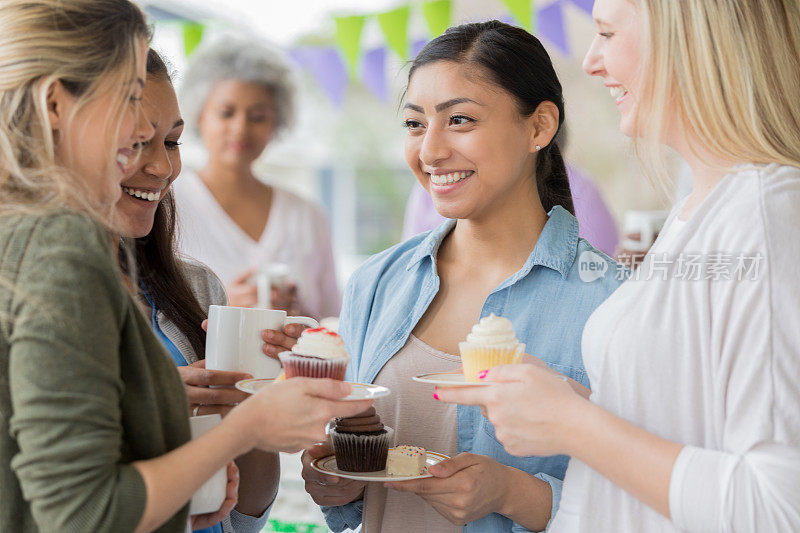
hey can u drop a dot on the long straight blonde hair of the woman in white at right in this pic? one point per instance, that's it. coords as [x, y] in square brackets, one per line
[731, 70]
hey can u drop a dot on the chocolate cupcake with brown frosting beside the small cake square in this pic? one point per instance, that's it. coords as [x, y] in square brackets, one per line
[361, 442]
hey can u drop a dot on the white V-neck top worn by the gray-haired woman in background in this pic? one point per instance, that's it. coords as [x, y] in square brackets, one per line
[297, 234]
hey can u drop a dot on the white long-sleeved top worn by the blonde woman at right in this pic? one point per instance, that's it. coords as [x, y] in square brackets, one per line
[709, 358]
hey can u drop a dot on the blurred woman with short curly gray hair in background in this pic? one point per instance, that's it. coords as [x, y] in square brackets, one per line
[237, 96]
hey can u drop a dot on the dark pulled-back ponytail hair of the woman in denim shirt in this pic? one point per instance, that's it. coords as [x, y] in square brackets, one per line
[515, 60]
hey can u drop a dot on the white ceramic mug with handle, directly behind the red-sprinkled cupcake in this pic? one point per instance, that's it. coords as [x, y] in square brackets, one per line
[234, 339]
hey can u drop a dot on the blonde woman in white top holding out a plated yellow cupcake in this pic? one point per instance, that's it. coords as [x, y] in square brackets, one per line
[694, 418]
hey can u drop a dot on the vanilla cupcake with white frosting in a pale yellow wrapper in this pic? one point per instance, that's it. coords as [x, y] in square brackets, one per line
[492, 342]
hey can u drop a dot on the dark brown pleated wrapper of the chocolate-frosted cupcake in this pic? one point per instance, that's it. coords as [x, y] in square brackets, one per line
[362, 453]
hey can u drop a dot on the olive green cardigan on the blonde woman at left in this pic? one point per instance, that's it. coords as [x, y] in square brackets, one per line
[86, 388]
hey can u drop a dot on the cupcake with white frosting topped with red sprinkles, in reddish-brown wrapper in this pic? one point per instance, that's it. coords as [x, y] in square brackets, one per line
[319, 353]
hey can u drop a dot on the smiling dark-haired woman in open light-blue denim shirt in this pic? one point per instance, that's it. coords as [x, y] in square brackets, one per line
[483, 107]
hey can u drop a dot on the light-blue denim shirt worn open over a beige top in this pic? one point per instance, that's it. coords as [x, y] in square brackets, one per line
[546, 301]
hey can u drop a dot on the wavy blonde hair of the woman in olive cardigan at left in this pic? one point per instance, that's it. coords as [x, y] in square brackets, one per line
[90, 46]
